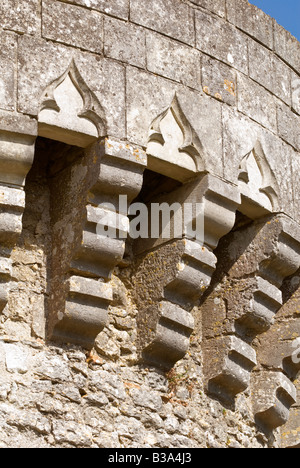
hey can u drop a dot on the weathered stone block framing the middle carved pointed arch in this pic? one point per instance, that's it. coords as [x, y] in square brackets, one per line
[158, 94]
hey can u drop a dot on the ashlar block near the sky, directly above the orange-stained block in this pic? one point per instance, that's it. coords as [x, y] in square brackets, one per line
[231, 46]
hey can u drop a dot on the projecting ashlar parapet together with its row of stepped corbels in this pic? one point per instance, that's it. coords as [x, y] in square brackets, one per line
[185, 88]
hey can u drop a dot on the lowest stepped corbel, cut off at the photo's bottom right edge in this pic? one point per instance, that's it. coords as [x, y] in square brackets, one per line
[279, 351]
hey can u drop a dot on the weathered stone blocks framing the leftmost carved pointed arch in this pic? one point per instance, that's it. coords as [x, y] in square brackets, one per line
[105, 78]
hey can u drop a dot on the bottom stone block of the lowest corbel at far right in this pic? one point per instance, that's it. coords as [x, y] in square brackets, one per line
[273, 394]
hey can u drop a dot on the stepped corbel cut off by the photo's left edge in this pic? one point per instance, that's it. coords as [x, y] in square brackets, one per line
[16, 157]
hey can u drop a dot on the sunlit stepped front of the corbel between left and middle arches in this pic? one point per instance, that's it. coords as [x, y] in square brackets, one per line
[116, 169]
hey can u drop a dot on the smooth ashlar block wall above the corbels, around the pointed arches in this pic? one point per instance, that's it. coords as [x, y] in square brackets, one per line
[234, 70]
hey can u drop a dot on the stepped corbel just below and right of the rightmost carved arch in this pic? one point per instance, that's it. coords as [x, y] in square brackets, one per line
[246, 301]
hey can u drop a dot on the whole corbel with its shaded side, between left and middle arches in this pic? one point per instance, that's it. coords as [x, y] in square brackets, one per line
[80, 289]
